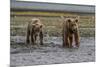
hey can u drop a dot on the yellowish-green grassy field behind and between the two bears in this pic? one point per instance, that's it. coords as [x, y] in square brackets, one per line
[52, 24]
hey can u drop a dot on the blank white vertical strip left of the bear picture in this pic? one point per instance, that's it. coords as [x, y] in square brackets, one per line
[4, 32]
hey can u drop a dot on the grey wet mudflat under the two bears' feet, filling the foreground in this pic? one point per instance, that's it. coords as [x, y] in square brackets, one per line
[51, 52]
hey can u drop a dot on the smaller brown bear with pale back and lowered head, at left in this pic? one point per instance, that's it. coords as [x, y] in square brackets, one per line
[34, 30]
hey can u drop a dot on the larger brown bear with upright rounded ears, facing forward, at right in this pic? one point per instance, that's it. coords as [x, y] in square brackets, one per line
[70, 32]
